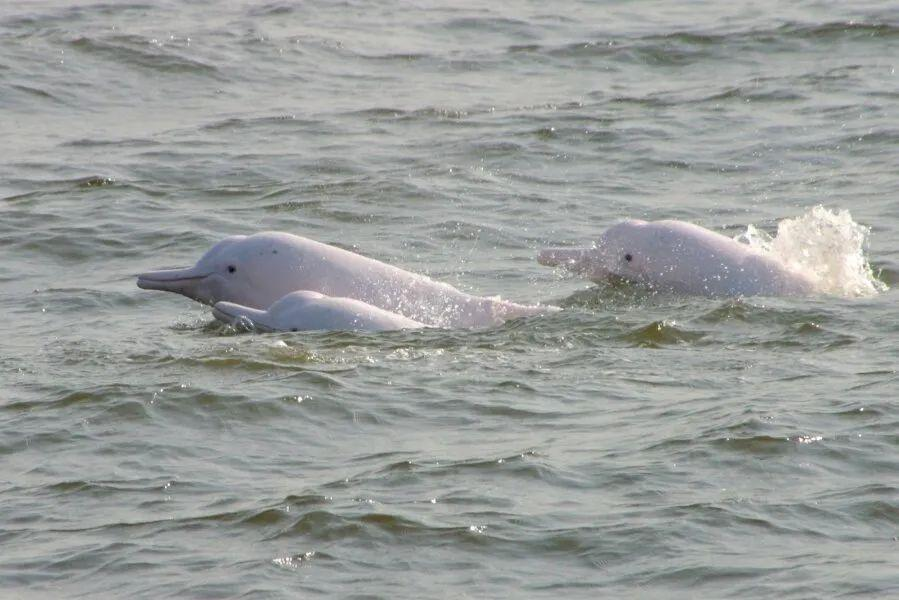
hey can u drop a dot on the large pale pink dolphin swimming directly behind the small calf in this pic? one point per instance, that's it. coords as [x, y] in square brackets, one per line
[257, 270]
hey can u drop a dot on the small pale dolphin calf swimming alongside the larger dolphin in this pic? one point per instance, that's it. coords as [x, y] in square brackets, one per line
[311, 311]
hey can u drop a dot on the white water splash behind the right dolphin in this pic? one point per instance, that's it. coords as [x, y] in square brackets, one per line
[827, 246]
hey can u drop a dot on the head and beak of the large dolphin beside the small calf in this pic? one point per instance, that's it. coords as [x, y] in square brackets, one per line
[247, 270]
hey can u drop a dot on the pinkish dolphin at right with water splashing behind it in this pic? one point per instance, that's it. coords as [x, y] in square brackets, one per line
[682, 258]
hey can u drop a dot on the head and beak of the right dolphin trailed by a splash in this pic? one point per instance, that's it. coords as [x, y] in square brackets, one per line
[623, 250]
